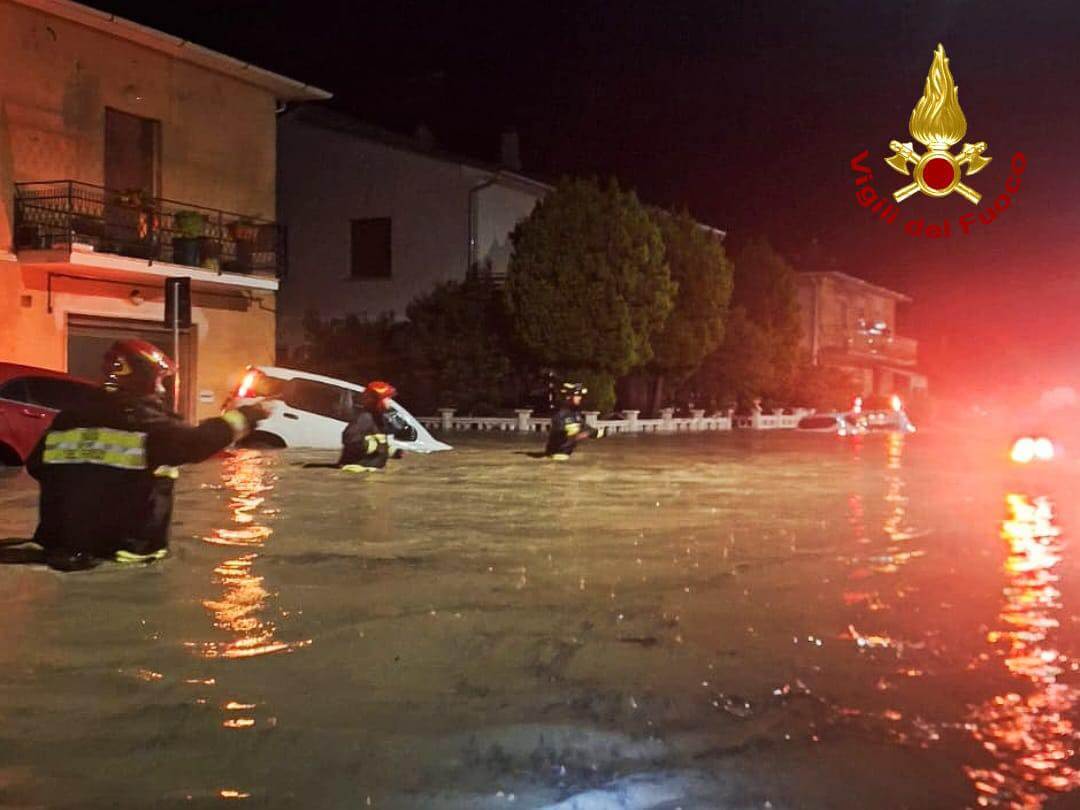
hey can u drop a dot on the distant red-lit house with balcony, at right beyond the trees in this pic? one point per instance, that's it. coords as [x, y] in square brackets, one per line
[852, 325]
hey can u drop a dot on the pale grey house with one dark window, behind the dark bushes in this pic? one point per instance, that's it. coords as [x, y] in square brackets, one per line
[376, 220]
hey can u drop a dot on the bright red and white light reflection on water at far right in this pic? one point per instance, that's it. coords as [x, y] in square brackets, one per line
[1031, 737]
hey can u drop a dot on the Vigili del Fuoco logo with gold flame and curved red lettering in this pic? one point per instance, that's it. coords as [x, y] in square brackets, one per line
[939, 125]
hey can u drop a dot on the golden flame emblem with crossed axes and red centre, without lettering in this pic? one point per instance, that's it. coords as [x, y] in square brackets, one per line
[938, 124]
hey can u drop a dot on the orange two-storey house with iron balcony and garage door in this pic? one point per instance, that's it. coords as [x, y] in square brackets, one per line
[129, 157]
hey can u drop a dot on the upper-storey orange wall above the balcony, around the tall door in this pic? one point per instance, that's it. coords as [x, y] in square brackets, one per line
[218, 133]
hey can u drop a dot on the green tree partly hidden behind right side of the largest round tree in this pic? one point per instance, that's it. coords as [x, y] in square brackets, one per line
[705, 276]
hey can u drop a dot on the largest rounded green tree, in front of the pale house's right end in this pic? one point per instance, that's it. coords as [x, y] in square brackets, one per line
[588, 286]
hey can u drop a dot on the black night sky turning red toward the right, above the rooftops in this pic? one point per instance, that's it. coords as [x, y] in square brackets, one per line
[748, 114]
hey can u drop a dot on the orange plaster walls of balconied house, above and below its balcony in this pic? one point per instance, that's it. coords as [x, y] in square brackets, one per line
[218, 150]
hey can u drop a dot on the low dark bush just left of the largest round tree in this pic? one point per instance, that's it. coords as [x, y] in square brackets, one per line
[457, 340]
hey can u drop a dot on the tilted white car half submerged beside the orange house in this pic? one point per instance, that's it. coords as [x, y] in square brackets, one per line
[313, 411]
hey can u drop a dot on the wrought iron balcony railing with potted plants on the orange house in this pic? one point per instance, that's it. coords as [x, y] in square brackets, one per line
[71, 215]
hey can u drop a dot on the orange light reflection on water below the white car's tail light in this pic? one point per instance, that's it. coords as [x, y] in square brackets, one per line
[245, 604]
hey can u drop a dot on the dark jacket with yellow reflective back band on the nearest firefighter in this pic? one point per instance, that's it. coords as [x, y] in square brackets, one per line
[107, 469]
